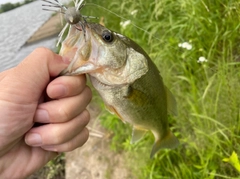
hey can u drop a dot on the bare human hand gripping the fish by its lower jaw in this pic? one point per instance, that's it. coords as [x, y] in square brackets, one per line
[25, 93]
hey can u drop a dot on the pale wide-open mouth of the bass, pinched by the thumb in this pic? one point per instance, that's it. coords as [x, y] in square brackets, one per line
[77, 48]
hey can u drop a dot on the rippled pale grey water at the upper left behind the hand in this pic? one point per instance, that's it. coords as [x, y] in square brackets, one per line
[16, 27]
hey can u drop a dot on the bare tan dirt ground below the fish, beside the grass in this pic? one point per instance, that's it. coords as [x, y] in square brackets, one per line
[95, 160]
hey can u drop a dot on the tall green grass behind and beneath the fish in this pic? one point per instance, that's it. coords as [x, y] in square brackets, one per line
[208, 93]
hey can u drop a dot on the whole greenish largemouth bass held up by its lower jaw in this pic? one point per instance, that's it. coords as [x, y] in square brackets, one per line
[126, 79]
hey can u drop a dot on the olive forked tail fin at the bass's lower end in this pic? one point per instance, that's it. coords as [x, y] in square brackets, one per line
[169, 141]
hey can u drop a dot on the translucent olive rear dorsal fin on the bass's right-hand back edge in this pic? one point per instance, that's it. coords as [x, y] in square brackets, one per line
[171, 103]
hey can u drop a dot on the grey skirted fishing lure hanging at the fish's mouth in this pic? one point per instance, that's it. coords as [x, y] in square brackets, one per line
[72, 15]
